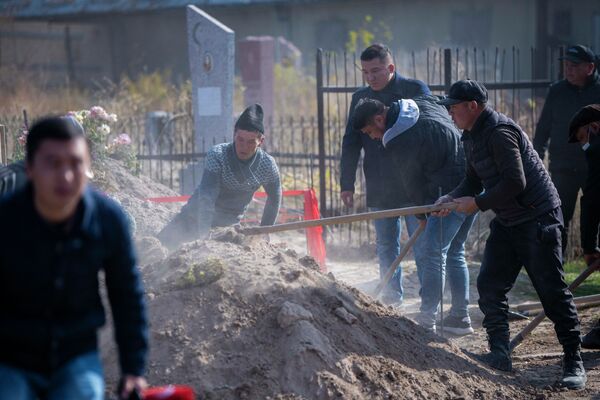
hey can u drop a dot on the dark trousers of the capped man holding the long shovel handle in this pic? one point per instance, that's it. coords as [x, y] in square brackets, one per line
[537, 246]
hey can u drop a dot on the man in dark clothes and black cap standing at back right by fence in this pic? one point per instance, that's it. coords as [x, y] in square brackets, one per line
[580, 87]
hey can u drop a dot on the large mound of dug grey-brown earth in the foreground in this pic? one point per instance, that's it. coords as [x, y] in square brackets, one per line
[239, 318]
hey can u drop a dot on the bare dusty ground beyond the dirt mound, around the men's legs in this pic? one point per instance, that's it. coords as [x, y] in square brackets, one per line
[538, 359]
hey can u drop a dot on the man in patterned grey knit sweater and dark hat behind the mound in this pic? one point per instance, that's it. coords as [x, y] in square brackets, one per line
[232, 173]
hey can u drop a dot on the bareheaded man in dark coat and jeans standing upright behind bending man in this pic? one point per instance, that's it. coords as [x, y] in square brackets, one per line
[386, 85]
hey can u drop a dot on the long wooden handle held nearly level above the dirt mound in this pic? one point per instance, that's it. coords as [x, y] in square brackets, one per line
[345, 219]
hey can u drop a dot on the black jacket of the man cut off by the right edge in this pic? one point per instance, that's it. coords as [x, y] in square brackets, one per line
[590, 201]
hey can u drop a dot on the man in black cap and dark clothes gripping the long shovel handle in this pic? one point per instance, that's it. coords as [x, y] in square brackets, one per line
[506, 175]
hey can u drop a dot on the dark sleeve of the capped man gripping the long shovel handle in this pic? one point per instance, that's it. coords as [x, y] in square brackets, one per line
[507, 158]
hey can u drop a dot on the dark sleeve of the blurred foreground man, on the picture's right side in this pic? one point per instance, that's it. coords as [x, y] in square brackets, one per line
[126, 295]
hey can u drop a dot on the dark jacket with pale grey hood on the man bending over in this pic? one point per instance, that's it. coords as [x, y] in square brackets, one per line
[427, 156]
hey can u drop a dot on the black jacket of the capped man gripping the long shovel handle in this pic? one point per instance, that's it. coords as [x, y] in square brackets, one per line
[501, 160]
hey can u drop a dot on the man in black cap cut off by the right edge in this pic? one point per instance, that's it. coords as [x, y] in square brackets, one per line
[585, 129]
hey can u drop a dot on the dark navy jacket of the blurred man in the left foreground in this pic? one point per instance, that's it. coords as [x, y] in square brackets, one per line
[50, 306]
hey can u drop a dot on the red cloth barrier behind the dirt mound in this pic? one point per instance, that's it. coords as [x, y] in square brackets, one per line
[314, 236]
